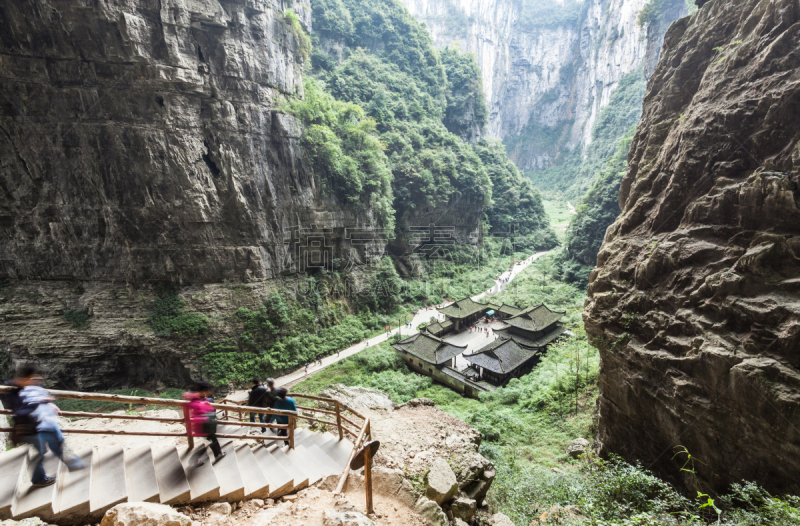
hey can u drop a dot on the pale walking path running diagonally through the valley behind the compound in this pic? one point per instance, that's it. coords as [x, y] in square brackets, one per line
[421, 316]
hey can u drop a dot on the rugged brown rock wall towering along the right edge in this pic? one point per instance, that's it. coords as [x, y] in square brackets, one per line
[695, 301]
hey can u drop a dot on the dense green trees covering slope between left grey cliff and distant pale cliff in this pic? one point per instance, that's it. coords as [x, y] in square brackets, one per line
[423, 103]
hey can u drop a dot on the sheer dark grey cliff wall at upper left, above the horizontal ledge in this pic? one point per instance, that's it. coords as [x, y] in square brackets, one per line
[141, 141]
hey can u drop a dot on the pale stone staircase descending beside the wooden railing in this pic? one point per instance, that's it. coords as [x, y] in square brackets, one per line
[167, 474]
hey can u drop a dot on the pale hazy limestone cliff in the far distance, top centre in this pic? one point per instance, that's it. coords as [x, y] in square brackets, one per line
[548, 68]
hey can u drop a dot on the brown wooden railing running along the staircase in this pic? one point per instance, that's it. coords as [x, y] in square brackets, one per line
[339, 417]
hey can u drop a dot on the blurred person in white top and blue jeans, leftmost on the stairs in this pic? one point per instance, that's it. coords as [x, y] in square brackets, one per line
[36, 423]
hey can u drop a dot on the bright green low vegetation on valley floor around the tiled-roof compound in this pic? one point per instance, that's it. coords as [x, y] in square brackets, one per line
[526, 425]
